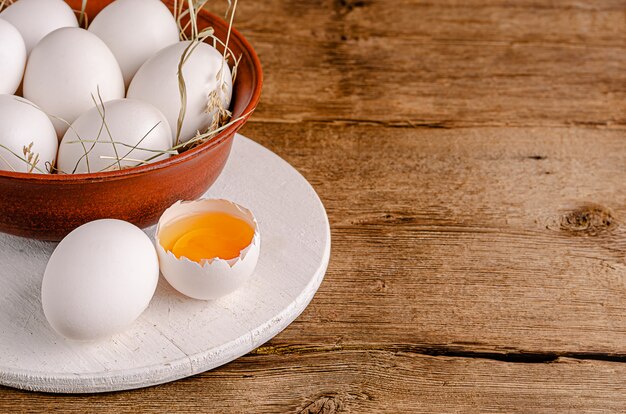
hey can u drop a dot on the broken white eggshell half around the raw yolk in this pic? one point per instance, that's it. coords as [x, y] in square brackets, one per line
[212, 278]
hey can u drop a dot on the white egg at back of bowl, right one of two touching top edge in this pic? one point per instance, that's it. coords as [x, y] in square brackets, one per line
[135, 30]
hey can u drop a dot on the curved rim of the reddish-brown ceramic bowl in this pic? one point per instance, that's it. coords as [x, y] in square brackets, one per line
[174, 160]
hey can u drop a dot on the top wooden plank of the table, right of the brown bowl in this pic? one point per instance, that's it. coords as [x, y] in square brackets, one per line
[449, 63]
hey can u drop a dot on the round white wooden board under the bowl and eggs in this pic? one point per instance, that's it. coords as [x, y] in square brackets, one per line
[177, 336]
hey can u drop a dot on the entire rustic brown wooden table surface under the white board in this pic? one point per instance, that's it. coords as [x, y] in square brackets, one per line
[472, 158]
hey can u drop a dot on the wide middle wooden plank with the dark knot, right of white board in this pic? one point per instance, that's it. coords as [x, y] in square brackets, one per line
[498, 239]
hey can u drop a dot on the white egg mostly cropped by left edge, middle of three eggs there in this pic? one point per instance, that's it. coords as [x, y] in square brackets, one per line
[12, 57]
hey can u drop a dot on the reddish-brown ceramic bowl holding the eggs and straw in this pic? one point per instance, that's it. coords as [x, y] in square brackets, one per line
[48, 206]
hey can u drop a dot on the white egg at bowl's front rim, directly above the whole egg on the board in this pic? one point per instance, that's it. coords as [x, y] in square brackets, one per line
[132, 131]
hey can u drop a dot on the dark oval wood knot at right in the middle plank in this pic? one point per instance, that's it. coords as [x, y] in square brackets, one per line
[590, 220]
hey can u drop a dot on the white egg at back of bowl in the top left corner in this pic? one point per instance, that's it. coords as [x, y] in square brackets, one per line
[36, 18]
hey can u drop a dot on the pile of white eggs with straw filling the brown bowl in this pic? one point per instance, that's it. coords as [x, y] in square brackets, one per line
[76, 100]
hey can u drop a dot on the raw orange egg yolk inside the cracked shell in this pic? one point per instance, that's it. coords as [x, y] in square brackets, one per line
[210, 235]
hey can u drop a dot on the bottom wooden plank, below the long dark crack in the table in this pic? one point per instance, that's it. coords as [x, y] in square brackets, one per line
[351, 381]
